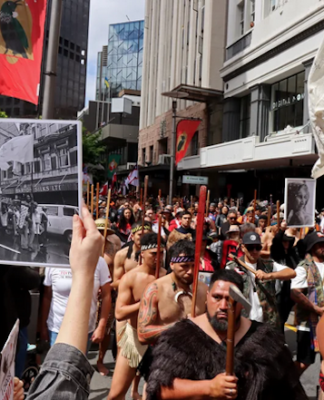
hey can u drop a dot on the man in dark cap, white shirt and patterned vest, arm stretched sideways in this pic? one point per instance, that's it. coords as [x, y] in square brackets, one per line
[260, 288]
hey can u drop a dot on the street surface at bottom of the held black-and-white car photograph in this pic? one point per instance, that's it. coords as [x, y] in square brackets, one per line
[56, 251]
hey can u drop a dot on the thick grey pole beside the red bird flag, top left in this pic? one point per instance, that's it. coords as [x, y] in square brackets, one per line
[51, 60]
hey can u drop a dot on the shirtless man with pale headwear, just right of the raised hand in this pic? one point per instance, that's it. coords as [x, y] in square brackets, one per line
[113, 244]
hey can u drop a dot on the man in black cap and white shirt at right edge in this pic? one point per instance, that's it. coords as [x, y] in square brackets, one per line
[307, 290]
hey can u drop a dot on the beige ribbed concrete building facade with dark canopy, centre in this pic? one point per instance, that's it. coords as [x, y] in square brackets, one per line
[183, 52]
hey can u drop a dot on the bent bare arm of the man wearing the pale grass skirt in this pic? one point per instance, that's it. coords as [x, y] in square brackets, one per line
[124, 307]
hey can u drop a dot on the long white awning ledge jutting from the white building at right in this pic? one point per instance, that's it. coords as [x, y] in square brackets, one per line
[249, 153]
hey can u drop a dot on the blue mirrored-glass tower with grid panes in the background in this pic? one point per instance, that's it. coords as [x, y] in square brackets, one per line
[121, 61]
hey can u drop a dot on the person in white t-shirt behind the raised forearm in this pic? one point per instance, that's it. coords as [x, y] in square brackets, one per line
[57, 288]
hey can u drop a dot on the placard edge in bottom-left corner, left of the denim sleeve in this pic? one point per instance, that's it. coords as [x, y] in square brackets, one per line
[7, 364]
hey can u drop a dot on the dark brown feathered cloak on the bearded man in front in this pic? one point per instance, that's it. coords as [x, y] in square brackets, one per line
[263, 363]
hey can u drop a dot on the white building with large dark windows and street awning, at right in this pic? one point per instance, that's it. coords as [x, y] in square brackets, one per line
[266, 134]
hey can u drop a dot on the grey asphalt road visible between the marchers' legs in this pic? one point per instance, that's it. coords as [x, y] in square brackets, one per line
[100, 385]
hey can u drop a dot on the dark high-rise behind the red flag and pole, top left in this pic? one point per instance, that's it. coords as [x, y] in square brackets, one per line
[71, 69]
